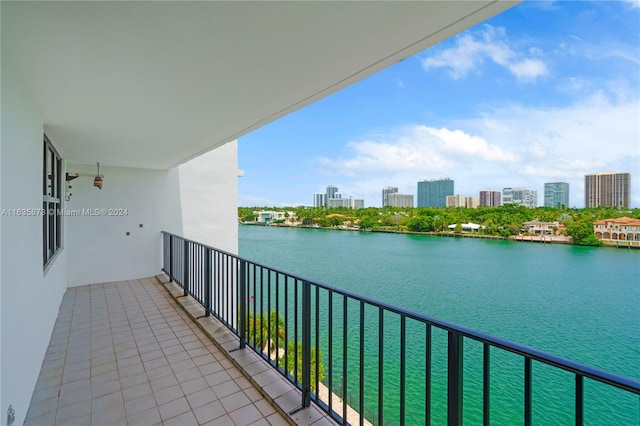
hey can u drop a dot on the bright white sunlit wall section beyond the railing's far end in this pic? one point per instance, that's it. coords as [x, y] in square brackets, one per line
[209, 192]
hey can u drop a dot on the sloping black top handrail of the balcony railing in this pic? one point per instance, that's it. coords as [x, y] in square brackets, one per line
[612, 379]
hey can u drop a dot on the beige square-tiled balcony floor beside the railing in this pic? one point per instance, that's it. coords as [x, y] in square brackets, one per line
[124, 353]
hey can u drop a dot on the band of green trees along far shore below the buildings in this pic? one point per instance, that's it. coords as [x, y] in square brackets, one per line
[502, 221]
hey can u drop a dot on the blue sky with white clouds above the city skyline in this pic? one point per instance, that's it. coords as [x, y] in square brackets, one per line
[545, 92]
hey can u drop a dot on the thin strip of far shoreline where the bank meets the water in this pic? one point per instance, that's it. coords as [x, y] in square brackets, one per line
[540, 239]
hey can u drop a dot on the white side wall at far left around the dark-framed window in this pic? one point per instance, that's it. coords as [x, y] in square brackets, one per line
[29, 298]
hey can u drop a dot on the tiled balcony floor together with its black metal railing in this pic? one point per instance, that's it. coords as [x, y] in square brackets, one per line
[222, 340]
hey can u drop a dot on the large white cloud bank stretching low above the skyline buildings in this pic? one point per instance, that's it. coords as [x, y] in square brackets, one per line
[511, 146]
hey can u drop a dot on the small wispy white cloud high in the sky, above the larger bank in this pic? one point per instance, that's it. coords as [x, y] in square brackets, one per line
[470, 52]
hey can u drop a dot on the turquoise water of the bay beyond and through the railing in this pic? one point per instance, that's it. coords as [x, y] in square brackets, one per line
[580, 303]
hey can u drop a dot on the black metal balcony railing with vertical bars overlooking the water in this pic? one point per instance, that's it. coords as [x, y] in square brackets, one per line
[350, 354]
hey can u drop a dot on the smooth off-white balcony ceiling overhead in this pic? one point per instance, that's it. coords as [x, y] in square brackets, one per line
[154, 84]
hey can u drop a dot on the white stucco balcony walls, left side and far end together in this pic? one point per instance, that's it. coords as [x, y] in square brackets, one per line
[95, 247]
